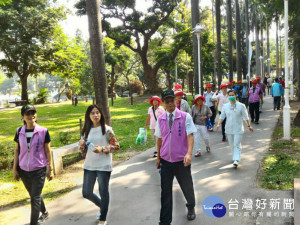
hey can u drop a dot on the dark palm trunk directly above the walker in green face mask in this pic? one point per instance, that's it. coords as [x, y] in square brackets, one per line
[230, 40]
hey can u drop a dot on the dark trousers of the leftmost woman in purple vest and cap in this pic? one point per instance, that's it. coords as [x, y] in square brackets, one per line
[34, 182]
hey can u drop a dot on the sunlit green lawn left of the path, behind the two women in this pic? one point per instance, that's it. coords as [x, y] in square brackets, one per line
[62, 120]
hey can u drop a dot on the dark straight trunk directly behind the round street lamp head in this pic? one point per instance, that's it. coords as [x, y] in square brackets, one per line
[195, 20]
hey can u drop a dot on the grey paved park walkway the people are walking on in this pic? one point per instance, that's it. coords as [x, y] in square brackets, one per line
[135, 187]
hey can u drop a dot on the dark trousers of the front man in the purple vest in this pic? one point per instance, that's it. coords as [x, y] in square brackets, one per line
[184, 178]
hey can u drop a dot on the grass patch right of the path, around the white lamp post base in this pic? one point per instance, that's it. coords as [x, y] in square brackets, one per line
[282, 164]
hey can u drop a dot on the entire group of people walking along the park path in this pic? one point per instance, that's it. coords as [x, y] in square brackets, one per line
[177, 130]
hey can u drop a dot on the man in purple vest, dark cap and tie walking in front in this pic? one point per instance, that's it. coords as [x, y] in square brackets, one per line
[174, 130]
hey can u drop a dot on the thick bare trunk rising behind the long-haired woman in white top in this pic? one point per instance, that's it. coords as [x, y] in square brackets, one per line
[97, 56]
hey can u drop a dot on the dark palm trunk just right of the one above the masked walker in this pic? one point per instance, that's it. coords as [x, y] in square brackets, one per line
[238, 41]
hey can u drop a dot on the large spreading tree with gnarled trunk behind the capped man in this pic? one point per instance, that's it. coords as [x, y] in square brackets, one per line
[140, 27]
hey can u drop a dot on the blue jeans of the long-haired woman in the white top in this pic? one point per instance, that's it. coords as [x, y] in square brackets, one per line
[89, 179]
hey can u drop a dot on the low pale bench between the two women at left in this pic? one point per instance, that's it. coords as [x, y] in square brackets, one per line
[58, 153]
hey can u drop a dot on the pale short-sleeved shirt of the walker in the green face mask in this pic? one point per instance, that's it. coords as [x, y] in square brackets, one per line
[234, 114]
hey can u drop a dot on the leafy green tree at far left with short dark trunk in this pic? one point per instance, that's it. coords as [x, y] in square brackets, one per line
[29, 51]
